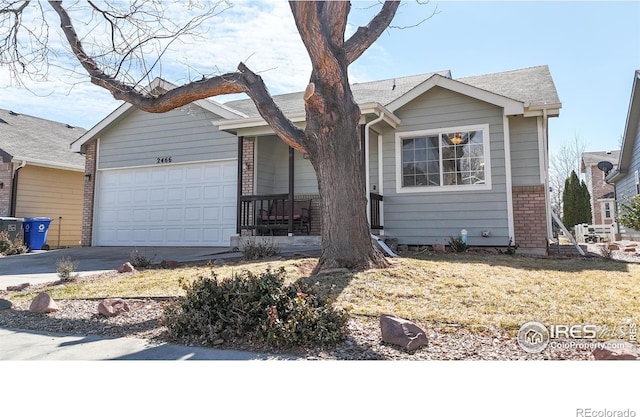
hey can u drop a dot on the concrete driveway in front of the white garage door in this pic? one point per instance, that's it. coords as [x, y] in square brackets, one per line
[40, 266]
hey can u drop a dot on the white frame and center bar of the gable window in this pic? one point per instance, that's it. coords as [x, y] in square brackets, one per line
[486, 140]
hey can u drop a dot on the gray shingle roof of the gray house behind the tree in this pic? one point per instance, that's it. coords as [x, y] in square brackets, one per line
[533, 86]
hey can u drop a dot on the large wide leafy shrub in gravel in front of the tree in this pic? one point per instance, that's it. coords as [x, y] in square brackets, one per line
[253, 309]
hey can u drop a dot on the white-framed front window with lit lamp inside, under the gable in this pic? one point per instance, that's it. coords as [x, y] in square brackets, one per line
[431, 160]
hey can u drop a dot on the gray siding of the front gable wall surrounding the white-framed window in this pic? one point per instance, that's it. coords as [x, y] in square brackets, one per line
[434, 217]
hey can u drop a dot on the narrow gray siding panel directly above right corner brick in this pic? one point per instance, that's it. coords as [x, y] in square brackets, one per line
[525, 157]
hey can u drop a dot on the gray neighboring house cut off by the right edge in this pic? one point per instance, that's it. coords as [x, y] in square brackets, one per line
[626, 178]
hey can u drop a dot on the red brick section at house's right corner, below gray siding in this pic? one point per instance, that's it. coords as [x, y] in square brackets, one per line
[530, 219]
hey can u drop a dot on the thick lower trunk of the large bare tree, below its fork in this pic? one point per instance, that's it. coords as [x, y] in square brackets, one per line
[336, 153]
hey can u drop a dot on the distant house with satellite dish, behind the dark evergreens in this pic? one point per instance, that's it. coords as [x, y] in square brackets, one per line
[603, 207]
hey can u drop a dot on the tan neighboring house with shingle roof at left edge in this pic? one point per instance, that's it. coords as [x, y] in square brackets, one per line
[40, 176]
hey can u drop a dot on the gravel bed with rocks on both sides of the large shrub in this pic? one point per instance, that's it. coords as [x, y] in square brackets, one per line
[364, 342]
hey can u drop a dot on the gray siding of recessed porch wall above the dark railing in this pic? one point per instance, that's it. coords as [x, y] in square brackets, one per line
[273, 169]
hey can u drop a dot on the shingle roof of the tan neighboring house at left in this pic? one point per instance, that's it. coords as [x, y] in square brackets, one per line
[37, 141]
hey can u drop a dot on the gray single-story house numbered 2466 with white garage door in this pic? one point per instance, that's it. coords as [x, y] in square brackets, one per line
[443, 155]
